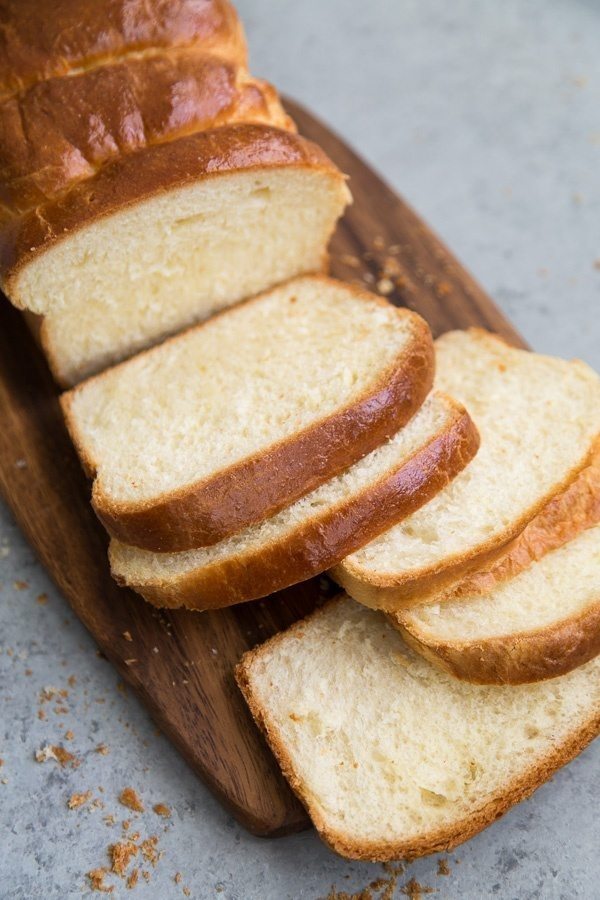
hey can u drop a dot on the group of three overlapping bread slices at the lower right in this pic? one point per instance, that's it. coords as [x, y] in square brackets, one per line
[408, 727]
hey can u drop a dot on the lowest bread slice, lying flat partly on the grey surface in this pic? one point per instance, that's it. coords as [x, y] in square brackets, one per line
[393, 758]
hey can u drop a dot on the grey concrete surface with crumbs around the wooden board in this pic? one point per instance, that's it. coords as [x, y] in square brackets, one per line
[486, 116]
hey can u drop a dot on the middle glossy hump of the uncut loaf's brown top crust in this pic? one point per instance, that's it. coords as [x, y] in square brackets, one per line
[63, 130]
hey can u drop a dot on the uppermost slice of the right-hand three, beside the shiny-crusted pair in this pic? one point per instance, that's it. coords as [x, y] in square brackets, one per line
[538, 417]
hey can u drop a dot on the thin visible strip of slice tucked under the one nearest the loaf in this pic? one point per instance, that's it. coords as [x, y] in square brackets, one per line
[319, 529]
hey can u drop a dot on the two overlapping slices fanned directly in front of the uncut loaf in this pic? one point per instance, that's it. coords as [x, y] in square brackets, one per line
[265, 445]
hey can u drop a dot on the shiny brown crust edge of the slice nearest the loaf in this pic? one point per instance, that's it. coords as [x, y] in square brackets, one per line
[260, 485]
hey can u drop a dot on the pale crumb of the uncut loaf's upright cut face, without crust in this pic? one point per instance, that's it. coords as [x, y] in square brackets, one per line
[126, 281]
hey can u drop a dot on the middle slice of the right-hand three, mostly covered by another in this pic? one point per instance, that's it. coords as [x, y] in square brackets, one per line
[542, 623]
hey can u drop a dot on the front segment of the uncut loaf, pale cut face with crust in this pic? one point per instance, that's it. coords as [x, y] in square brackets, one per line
[162, 239]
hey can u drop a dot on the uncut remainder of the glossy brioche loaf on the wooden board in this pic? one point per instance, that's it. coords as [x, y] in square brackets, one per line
[146, 179]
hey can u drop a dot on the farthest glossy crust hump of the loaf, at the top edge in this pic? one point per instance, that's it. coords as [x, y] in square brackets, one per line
[41, 39]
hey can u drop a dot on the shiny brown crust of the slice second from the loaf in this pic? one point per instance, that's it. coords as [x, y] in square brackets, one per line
[329, 536]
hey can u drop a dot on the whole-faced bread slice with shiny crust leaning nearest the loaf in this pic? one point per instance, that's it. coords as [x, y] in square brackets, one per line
[224, 425]
